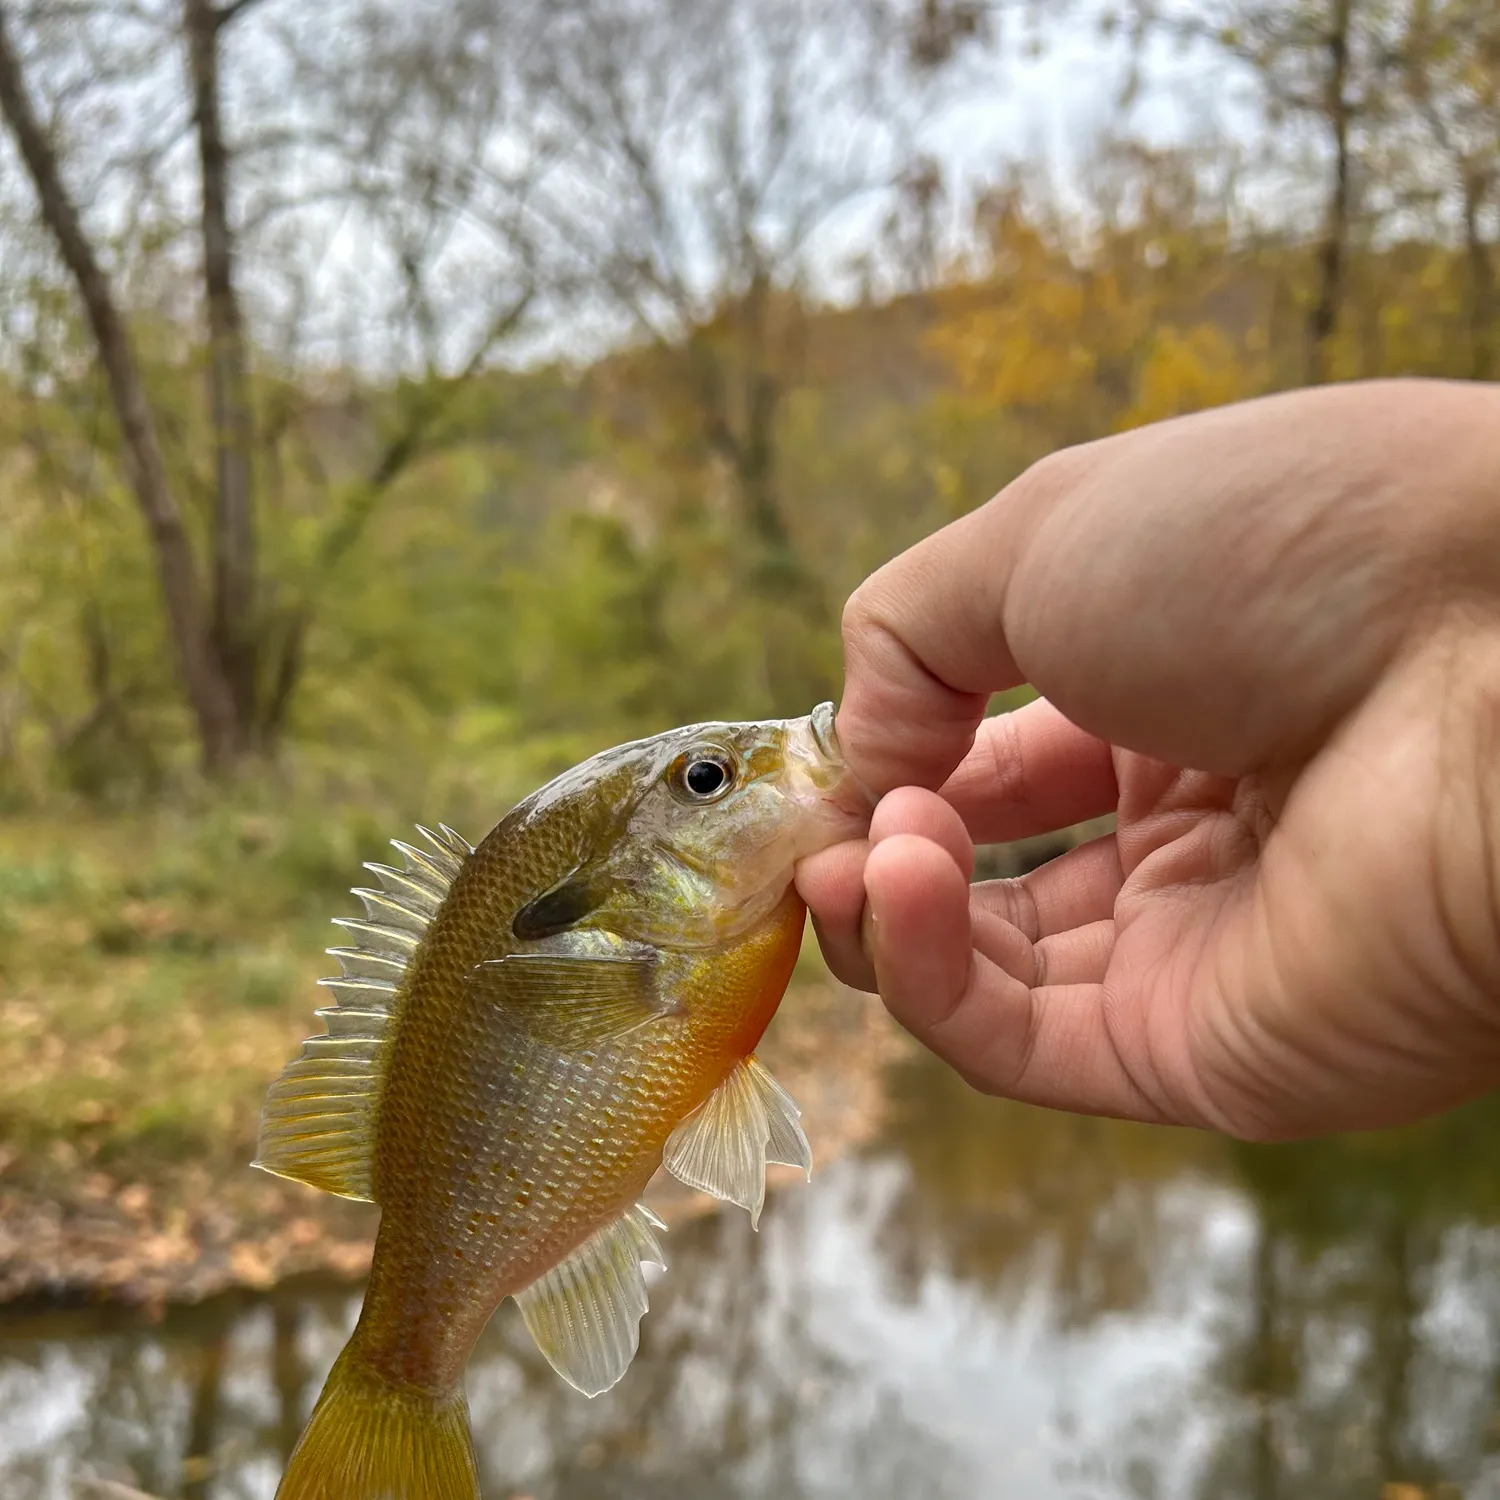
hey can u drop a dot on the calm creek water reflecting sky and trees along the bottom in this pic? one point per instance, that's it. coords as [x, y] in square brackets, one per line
[986, 1303]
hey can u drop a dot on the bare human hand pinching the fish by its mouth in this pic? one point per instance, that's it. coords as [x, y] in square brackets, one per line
[1268, 640]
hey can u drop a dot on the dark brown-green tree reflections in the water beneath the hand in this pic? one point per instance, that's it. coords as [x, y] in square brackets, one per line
[1328, 1378]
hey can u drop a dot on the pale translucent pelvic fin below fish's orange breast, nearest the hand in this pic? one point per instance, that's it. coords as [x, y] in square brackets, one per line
[722, 1148]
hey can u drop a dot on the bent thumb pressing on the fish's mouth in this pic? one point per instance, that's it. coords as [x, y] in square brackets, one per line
[925, 649]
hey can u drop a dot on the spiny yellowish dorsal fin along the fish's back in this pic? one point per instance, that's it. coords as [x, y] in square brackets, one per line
[319, 1123]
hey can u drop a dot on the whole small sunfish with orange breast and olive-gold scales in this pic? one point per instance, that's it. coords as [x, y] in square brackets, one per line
[523, 1034]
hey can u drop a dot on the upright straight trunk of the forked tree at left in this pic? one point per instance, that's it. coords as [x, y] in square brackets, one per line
[235, 562]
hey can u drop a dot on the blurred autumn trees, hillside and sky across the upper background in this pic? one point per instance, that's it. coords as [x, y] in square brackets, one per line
[295, 469]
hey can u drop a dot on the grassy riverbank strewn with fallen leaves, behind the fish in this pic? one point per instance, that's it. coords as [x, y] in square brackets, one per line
[158, 971]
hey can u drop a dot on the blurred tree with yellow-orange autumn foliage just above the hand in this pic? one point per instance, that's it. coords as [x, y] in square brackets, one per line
[1130, 307]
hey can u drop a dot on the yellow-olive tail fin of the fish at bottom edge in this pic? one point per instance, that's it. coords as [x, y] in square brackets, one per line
[371, 1441]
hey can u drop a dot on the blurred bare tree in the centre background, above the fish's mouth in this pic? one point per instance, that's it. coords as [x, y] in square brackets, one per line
[704, 154]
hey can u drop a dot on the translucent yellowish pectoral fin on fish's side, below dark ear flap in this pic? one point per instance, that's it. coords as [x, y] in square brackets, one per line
[571, 1001]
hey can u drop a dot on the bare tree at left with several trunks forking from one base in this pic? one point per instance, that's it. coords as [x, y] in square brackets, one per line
[239, 623]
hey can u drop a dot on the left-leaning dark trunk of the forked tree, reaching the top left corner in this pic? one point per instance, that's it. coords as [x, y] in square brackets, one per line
[176, 568]
